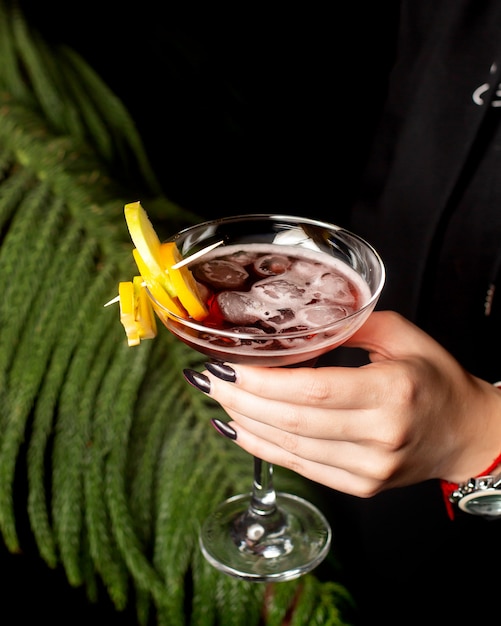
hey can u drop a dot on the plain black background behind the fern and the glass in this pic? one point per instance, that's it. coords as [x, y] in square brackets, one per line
[240, 111]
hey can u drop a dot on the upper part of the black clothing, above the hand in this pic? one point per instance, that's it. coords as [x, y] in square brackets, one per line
[433, 182]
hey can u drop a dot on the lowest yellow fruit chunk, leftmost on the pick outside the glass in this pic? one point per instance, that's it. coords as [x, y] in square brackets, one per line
[136, 312]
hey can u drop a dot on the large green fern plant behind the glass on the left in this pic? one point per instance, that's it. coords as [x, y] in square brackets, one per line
[122, 465]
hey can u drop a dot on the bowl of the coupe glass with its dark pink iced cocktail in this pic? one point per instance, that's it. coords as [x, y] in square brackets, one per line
[277, 300]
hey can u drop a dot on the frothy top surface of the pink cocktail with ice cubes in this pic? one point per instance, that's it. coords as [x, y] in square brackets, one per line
[259, 289]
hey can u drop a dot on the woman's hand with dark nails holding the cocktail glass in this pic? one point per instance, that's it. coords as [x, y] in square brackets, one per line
[411, 414]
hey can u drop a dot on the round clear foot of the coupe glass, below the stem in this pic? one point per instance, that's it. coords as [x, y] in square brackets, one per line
[277, 546]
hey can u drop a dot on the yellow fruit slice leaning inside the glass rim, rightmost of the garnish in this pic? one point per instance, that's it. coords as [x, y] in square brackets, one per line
[184, 284]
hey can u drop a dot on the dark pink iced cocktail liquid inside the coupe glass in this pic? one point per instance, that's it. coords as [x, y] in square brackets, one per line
[272, 304]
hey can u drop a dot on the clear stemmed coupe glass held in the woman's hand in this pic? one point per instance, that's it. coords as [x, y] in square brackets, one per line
[268, 535]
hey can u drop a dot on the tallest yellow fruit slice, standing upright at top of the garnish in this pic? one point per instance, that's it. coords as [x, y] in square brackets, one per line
[147, 243]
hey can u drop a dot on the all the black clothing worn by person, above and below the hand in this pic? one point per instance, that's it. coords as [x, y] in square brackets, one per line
[431, 205]
